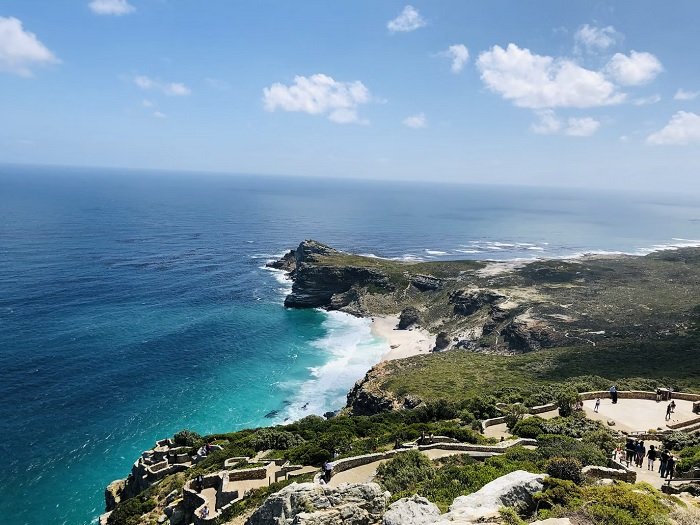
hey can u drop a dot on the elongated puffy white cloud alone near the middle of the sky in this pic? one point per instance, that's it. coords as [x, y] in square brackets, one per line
[319, 95]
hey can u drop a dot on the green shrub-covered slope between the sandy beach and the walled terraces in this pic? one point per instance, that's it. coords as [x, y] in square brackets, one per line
[535, 378]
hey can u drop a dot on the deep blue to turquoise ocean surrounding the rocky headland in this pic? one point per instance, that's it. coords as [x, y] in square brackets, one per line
[135, 304]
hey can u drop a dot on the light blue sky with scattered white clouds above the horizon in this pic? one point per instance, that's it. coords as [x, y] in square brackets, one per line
[576, 93]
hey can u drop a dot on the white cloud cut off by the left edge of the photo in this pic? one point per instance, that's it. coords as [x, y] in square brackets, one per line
[20, 50]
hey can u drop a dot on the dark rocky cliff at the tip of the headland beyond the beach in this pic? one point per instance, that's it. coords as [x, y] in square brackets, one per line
[317, 285]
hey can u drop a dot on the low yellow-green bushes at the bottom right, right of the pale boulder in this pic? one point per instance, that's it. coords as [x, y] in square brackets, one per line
[618, 504]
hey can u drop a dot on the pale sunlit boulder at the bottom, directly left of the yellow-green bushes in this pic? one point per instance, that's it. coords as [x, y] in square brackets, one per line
[512, 490]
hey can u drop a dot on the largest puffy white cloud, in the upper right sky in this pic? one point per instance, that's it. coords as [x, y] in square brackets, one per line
[537, 81]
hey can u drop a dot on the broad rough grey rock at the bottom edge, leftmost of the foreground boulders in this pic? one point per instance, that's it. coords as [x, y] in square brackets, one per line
[311, 504]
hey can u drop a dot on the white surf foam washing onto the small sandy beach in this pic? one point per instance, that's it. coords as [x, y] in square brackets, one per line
[352, 350]
